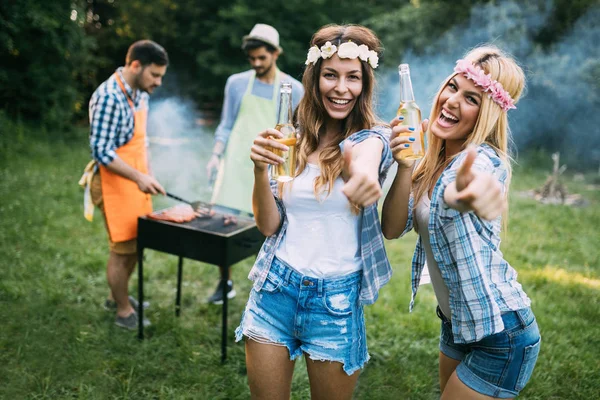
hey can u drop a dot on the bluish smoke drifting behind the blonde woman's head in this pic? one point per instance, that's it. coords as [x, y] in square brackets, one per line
[558, 112]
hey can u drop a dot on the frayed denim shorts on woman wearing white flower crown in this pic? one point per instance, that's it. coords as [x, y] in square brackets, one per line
[319, 317]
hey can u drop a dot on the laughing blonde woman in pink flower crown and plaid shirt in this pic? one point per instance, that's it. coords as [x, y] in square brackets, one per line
[489, 339]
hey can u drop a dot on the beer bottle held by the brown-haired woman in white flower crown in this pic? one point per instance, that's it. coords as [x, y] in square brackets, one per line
[285, 171]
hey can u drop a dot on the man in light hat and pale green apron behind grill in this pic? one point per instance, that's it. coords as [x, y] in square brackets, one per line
[249, 106]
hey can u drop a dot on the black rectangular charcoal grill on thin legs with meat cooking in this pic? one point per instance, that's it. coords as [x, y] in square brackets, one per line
[206, 240]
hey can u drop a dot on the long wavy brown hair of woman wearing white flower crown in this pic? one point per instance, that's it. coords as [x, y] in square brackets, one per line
[311, 113]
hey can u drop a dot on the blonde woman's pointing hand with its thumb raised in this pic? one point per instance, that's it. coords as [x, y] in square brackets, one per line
[475, 191]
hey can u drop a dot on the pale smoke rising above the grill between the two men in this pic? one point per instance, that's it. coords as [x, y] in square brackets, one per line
[179, 147]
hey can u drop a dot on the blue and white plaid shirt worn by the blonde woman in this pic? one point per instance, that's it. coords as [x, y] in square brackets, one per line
[466, 248]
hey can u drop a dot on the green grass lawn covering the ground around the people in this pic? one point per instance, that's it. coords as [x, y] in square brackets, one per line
[56, 342]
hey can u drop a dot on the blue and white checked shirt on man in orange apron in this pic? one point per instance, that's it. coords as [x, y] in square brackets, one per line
[111, 117]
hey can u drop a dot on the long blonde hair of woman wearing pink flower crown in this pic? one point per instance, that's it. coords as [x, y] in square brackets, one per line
[491, 126]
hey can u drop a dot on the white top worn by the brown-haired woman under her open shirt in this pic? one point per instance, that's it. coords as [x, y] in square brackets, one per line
[322, 239]
